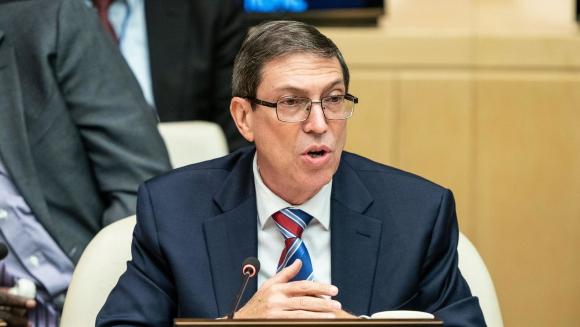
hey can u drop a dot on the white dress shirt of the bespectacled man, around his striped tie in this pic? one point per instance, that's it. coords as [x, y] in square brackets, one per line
[316, 236]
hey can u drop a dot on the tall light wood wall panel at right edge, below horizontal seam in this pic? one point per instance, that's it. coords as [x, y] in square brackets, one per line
[528, 191]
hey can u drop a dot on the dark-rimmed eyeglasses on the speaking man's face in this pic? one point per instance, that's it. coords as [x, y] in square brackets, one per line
[295, 109]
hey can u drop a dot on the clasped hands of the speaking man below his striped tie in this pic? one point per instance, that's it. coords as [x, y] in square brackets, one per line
[280, 299]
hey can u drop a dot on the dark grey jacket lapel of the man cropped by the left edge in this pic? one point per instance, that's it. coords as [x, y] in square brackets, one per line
[14, 146]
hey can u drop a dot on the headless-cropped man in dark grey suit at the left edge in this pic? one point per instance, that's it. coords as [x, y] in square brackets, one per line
[76, 139]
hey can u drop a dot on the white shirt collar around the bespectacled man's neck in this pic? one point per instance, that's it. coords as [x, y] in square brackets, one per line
[269, 203]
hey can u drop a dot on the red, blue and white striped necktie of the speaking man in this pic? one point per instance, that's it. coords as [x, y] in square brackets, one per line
[291, 223]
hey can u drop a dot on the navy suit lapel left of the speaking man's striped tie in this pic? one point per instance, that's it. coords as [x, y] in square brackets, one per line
[232, 236]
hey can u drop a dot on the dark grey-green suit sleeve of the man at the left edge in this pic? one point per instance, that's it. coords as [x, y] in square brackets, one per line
[117, 127]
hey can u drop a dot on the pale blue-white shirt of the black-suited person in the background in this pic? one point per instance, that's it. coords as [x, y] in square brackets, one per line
[128, 20]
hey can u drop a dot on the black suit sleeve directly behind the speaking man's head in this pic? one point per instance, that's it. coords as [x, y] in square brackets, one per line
[230, 34]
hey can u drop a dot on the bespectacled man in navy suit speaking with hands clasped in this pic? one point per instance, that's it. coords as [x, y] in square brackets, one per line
[371, 237]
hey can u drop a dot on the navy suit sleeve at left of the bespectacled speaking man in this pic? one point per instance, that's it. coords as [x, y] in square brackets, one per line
[145, 292]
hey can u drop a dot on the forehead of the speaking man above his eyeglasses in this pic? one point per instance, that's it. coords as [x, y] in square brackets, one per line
[303, 72]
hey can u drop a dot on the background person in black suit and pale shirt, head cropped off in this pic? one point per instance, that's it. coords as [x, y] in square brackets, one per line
[182, 53]
